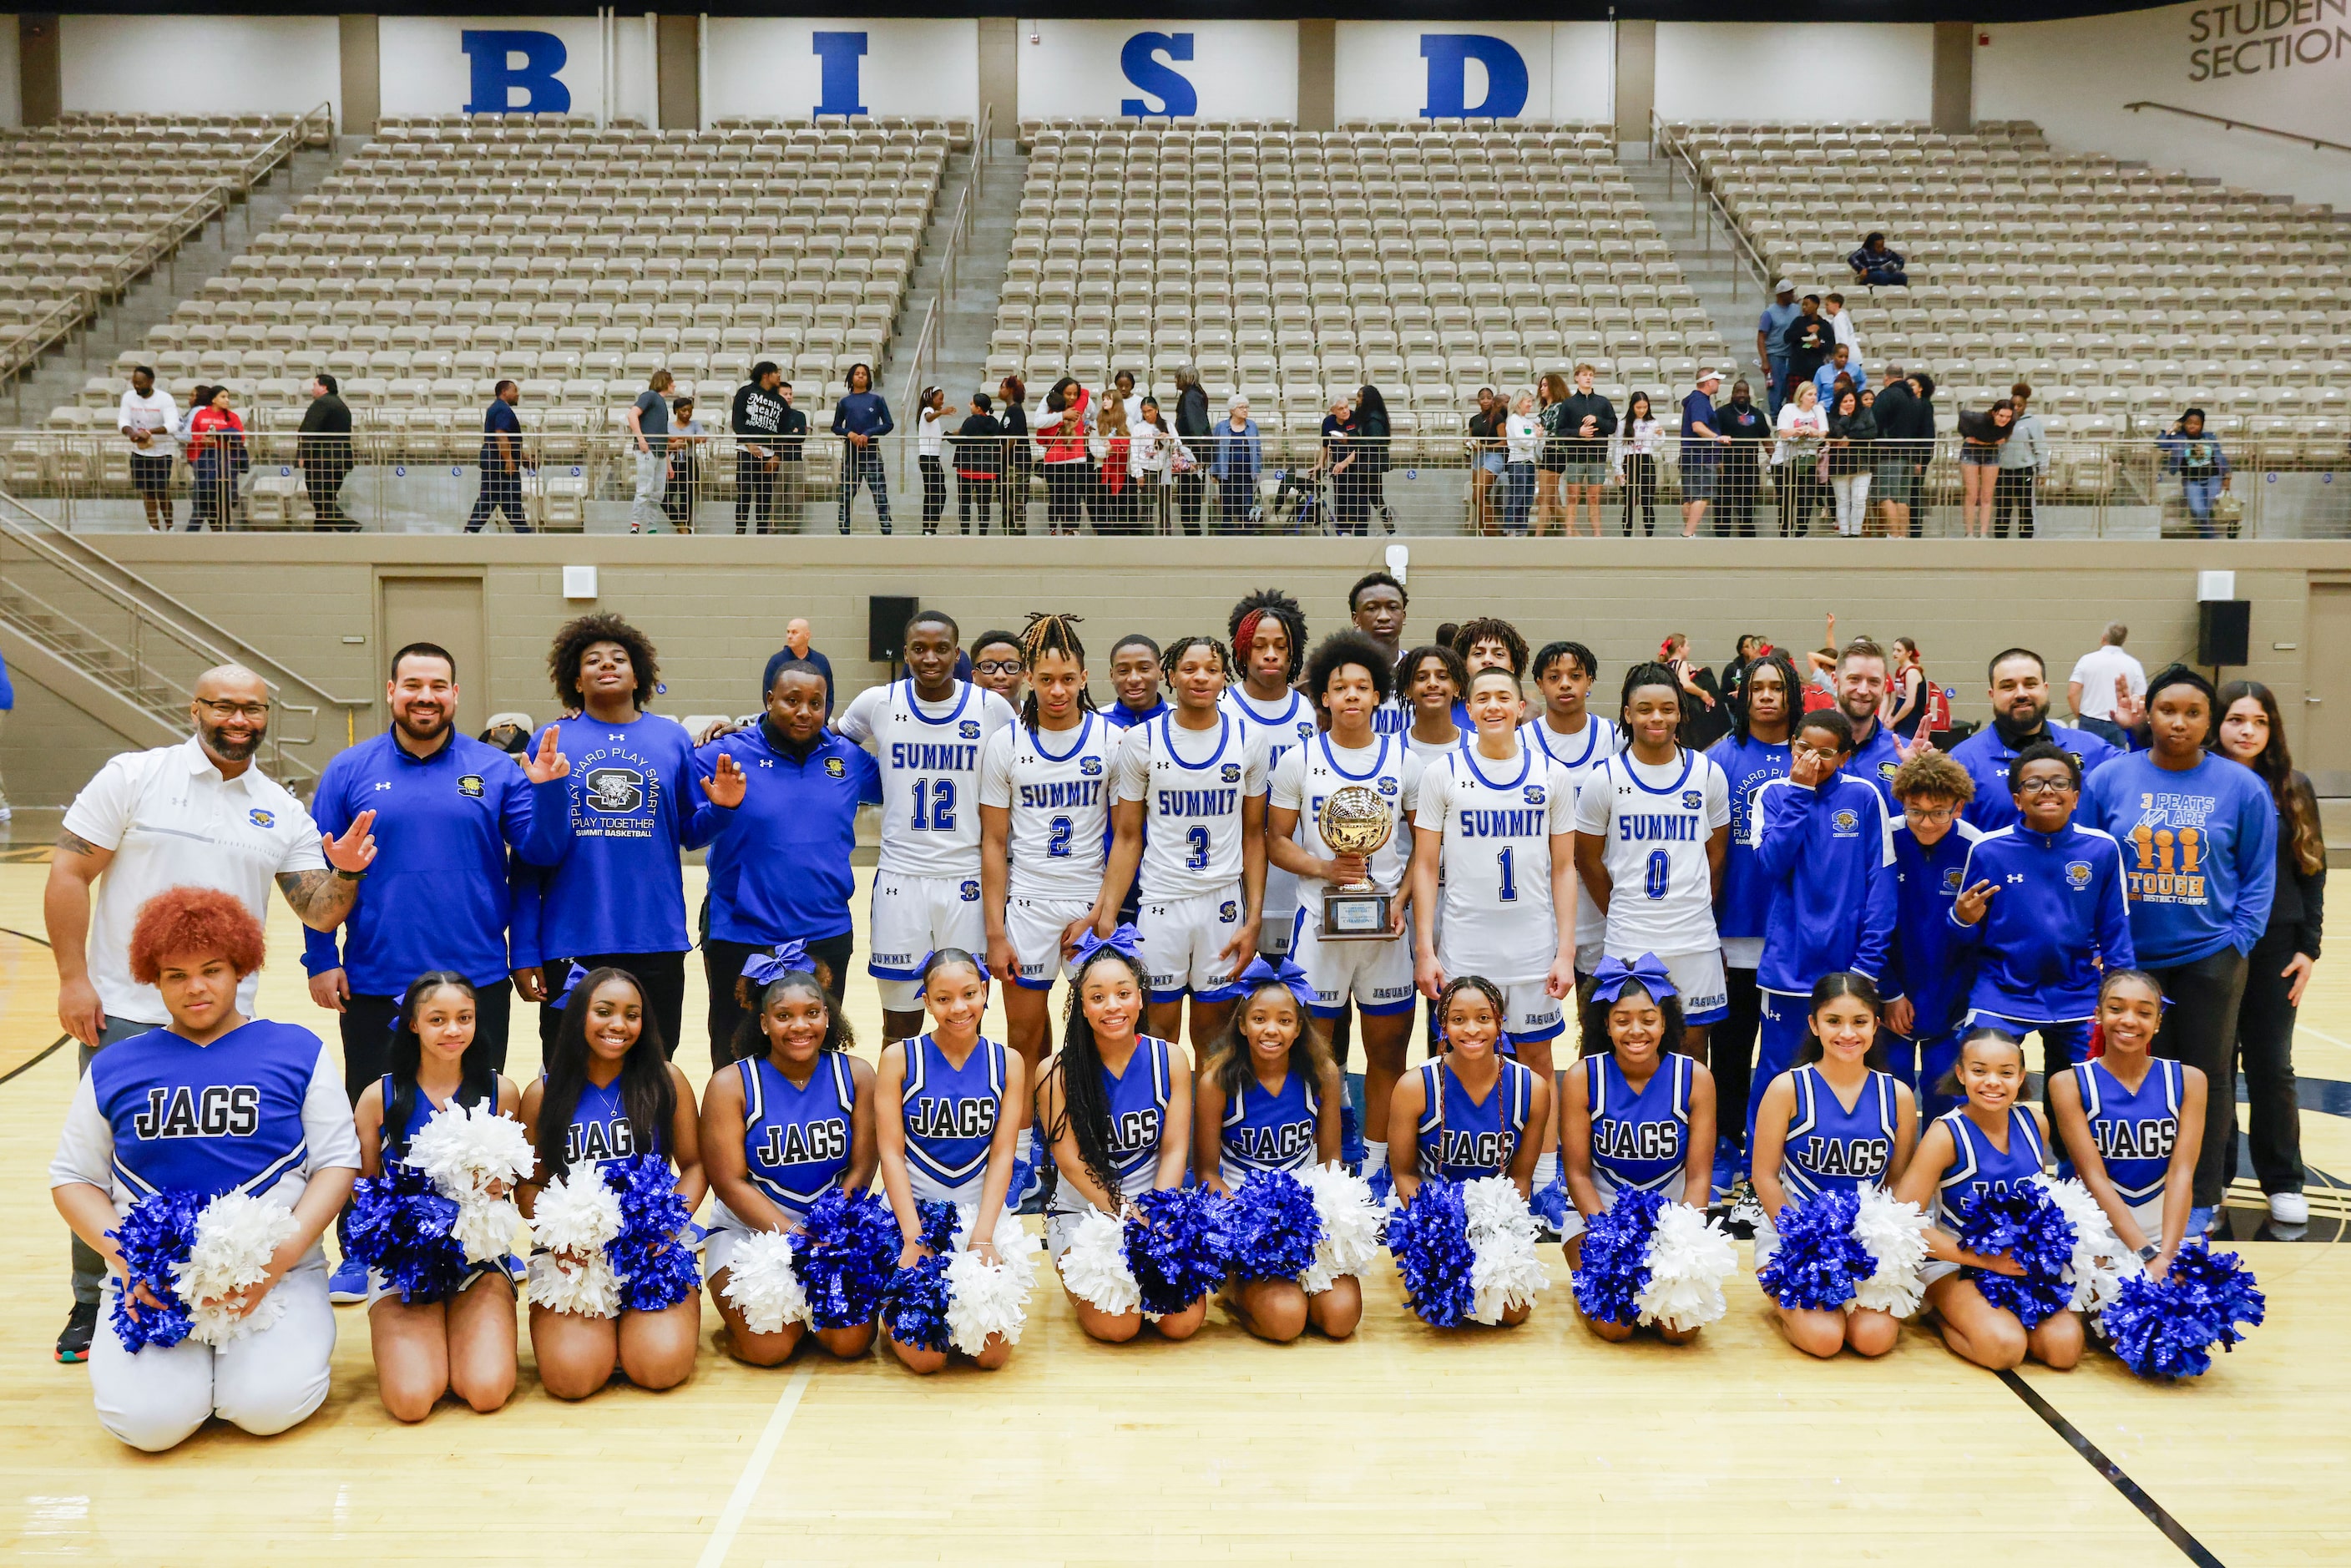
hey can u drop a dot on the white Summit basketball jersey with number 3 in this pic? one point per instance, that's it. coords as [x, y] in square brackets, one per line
[1191, 784]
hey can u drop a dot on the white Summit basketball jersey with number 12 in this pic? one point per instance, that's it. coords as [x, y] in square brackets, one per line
[930, 760]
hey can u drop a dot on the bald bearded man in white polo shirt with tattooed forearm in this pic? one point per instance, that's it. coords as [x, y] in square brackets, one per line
[192, 815]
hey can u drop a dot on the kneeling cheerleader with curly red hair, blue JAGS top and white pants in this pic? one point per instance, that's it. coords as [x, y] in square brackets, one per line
[213, 1118]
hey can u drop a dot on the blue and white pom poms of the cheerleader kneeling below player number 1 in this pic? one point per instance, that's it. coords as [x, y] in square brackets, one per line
[1466, 1252]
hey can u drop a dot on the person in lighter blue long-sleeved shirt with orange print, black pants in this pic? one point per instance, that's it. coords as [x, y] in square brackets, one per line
[2199, 843]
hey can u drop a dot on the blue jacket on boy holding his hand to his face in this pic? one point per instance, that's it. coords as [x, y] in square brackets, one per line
[1830, 862]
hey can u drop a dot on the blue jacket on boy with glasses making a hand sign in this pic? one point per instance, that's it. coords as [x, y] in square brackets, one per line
[2056, 916]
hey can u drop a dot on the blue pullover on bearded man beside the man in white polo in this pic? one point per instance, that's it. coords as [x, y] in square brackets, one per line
[438, 890]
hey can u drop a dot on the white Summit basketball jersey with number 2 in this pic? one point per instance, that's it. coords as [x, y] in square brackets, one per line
[1057, 793]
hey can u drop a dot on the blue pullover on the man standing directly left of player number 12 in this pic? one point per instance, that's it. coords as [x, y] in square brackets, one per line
[779, 864]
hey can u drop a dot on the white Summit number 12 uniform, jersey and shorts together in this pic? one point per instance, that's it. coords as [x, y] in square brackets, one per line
[927, 887]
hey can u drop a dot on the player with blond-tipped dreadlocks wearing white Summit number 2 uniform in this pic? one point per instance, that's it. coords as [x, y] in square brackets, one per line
[1045, 826]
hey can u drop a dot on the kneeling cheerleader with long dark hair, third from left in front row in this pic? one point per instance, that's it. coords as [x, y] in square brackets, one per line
[610, 1094]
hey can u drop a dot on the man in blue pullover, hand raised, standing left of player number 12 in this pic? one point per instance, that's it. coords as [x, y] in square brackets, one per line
[779, 859]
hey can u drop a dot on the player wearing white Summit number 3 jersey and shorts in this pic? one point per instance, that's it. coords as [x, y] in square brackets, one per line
[1191, 819]
